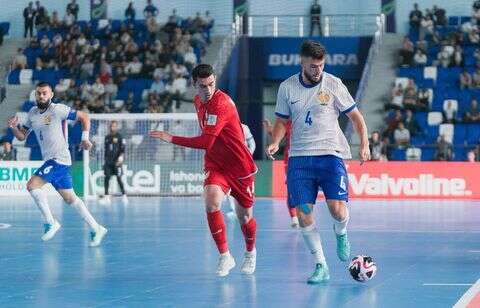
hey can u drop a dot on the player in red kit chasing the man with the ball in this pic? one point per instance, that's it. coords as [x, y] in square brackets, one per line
[228, 165]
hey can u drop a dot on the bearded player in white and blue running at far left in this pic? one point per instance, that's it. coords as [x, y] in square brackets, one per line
[47, 120]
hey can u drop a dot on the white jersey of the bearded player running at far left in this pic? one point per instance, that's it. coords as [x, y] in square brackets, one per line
[50, 128]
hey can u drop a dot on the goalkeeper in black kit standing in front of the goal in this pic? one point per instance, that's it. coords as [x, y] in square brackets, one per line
[114, 157]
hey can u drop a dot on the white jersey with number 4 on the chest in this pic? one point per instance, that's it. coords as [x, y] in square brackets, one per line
[314, 112]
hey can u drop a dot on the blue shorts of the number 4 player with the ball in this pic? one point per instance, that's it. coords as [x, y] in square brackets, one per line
[307, 174]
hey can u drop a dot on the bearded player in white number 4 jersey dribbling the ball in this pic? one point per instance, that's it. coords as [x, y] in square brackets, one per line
[313, 101]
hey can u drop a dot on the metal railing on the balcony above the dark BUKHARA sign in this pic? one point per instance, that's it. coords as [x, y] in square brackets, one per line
[299, 25]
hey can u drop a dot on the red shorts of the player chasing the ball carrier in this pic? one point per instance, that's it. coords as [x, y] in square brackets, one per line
[241, 189]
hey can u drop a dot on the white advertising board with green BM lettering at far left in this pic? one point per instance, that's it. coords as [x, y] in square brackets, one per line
[14, 176]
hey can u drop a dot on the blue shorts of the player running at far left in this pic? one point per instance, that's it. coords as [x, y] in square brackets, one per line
[56, 174]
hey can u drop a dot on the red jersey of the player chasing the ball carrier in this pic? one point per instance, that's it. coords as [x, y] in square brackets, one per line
[228, 154]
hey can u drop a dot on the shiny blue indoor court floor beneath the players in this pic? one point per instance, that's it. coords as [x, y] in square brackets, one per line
[159, 253]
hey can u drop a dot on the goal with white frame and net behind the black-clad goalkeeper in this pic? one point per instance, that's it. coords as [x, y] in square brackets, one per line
[151, 166]
